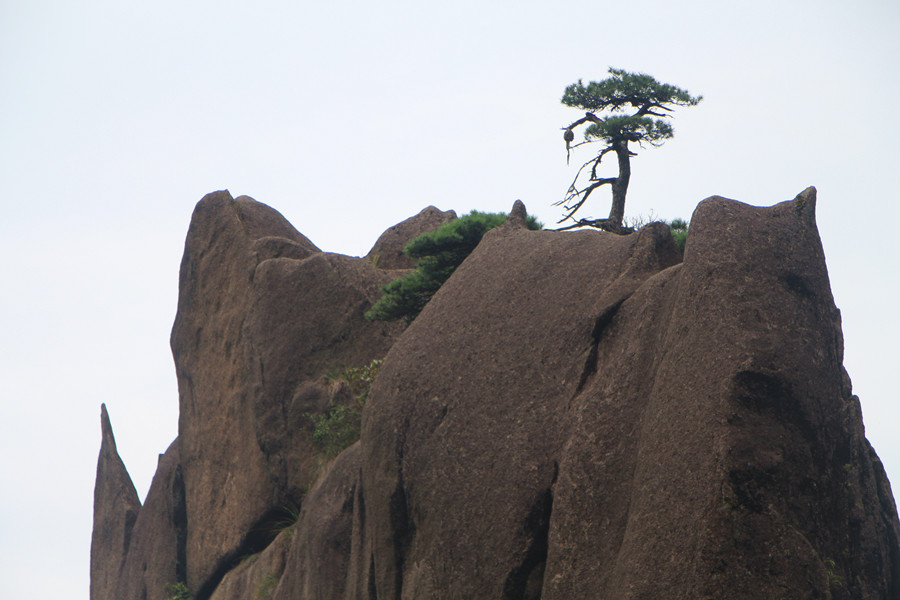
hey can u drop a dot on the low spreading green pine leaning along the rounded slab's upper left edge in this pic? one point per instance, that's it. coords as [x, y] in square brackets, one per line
[439, 253]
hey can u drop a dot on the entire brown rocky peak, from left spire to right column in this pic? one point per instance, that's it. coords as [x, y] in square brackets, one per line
[573, 415]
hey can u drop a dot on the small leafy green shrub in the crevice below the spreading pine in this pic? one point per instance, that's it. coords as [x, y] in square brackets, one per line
[340, 426]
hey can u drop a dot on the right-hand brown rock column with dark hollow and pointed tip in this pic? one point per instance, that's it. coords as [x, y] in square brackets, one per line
[709, 447]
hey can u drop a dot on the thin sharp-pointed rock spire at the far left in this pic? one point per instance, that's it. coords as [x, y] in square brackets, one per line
[116, 508]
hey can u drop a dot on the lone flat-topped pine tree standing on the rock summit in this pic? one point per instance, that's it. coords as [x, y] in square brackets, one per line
[622, 91]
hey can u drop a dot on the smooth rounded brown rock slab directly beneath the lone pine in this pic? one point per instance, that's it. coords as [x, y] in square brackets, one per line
[466, 422]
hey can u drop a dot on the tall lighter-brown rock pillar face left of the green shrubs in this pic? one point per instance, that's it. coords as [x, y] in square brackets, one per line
[227, 488]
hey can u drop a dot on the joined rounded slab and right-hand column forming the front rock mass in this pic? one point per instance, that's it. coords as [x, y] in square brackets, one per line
[572, 416]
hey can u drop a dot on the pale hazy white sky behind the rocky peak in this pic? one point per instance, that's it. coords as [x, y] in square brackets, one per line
[117, 117]
